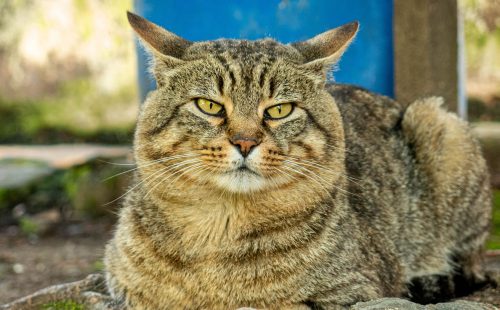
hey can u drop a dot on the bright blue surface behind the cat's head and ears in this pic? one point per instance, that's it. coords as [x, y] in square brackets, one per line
[367, 63]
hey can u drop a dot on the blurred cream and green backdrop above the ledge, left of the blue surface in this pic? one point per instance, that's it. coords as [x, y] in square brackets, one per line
[67, 71]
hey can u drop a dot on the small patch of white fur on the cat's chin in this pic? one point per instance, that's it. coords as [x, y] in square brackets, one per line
[240, 182]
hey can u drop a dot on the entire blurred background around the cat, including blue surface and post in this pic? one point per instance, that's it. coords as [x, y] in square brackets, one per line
[72, 79]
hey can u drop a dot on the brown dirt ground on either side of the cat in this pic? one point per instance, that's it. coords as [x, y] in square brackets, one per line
[76, 250]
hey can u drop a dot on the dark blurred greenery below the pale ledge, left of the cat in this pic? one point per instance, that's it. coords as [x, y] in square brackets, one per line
[86, 191]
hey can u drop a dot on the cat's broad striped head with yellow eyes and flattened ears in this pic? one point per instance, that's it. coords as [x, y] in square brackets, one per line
[240, 116]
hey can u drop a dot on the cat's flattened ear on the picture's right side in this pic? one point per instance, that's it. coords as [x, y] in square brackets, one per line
[325, 49]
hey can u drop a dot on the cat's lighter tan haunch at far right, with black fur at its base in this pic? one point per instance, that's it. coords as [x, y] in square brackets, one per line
[448, 157]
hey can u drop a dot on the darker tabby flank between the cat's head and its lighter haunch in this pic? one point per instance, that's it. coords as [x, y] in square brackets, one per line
[379, 163]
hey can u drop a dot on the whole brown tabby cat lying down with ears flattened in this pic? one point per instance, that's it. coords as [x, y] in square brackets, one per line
[260, 185]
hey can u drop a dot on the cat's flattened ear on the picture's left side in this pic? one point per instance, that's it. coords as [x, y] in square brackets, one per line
[165, 45]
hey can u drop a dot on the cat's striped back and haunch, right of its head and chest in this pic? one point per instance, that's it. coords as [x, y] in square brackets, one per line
[416, 175]
